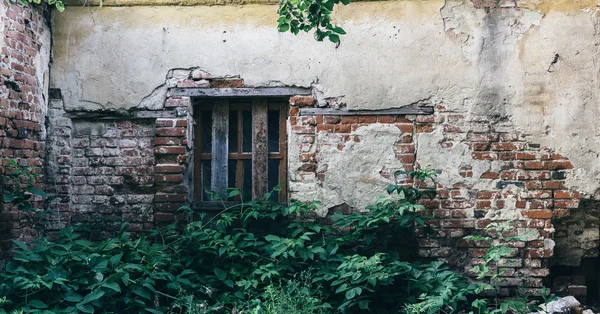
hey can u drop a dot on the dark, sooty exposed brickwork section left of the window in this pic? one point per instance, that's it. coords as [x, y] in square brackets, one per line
[113, 169]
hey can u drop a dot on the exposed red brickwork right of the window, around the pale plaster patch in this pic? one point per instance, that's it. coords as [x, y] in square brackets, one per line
[523, 183]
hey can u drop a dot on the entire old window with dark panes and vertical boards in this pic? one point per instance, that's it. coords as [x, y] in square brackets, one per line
[252, 135]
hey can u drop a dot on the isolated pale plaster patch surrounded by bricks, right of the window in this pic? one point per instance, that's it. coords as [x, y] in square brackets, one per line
[353, 171]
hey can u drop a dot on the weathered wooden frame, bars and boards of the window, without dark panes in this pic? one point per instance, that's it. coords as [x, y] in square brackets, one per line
[221, 108]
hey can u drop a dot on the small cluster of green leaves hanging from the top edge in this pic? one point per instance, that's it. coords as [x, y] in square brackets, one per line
[308, 15]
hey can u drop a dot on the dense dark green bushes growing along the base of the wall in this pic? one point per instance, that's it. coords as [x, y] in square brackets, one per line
[256, 257]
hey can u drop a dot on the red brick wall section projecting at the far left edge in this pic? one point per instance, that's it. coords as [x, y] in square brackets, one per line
[24, 55]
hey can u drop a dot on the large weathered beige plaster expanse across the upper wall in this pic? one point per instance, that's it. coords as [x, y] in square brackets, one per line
[396, 53]
